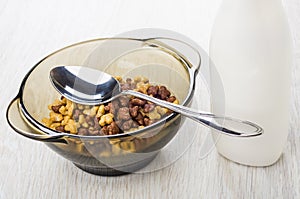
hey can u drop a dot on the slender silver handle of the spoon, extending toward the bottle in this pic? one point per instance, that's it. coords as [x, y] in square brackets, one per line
[222, 124]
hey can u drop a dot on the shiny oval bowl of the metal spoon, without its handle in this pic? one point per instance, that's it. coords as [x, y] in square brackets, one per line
[84, 86]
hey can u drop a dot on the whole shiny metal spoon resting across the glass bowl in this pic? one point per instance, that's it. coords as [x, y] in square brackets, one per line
[88, 86]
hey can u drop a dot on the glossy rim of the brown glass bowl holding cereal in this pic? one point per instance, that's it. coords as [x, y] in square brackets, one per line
[191, 70]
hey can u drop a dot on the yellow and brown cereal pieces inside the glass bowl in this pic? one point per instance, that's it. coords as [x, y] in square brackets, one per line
[122, 115]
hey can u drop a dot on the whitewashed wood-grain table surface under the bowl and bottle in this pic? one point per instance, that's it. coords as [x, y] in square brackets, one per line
[31, 29]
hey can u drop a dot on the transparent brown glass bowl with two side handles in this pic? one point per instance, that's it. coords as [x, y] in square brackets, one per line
[163, 60]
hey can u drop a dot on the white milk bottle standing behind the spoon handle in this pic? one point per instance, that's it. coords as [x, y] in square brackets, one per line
[251, 49]
